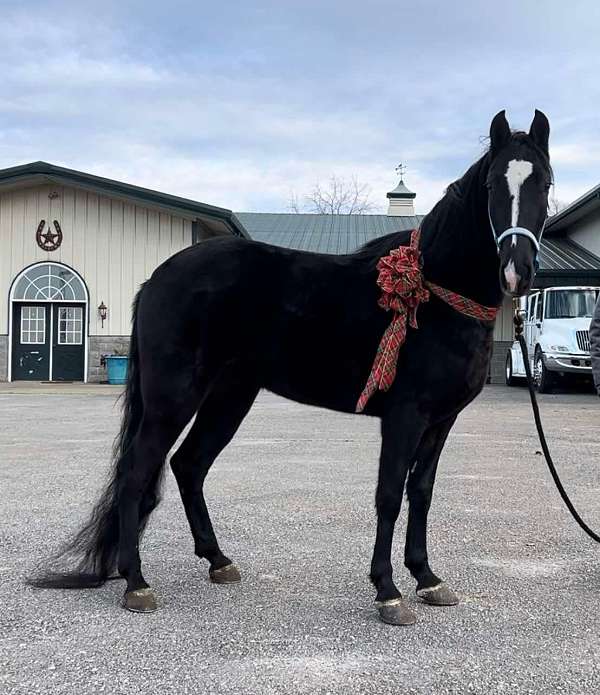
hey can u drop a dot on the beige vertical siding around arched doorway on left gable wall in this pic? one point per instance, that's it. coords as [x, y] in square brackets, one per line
[114, 245]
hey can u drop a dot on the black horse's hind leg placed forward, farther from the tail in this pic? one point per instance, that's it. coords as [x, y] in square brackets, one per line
[216, 422]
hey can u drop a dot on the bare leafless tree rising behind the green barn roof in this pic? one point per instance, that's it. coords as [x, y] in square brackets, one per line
[338, 197]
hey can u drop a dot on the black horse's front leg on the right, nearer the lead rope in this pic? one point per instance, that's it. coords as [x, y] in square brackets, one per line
[430, 588]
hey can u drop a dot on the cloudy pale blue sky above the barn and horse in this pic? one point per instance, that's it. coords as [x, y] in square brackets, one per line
[239, 104]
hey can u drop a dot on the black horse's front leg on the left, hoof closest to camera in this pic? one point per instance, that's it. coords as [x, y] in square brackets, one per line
[401, 433]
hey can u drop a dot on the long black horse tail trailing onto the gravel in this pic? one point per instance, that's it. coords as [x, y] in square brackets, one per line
[90, 557]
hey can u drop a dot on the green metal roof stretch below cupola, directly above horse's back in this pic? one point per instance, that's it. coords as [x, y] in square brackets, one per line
[322, 233]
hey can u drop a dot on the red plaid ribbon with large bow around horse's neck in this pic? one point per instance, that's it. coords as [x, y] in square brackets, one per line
[403, 289]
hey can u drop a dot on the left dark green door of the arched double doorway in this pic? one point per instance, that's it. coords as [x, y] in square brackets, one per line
[31, 342]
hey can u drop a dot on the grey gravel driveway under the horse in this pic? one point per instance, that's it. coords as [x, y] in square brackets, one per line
[292, 502]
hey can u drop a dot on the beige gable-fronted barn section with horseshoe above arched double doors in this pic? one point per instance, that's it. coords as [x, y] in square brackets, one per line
[74, 249]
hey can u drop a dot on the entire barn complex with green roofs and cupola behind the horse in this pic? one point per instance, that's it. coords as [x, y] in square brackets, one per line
[75, 247]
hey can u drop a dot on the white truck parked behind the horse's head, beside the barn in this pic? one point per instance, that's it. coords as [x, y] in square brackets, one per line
[556, 330]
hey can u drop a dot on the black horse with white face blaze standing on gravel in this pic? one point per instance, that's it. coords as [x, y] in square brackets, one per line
[221, 320]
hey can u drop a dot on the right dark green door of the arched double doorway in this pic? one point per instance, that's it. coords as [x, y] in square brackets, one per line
[68, 349]
